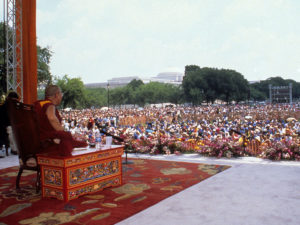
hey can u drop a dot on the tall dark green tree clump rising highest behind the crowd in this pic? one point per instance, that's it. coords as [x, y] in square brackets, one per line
[210, 84]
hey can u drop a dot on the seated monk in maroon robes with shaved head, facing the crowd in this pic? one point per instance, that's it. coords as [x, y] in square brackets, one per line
[52, 135]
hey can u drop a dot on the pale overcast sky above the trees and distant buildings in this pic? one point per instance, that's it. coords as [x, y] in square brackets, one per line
[101, 39]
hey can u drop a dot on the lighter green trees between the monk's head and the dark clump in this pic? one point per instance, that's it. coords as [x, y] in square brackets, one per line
[136, 93]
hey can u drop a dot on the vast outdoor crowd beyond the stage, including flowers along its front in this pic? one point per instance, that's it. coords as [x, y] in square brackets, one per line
[178, 129]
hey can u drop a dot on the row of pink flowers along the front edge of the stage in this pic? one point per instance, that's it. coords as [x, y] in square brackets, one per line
[226, 147]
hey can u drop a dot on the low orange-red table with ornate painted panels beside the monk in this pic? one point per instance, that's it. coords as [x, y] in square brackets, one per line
[88, 170]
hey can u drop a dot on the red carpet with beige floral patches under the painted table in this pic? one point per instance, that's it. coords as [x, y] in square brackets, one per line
[145, 183]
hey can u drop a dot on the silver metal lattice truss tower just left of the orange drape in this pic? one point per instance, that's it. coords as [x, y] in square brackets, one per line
[14, 56]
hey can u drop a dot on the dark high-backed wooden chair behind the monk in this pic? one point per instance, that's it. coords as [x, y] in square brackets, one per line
[24, 124]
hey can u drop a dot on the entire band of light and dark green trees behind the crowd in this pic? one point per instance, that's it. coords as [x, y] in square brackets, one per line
[200, 86]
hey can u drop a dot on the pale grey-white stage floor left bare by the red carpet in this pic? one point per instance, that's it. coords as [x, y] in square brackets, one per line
[253, 191]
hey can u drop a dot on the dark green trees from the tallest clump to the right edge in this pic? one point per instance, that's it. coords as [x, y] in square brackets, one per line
[211, 84]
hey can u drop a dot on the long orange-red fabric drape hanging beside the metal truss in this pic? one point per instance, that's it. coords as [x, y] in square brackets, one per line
[29, 49]
